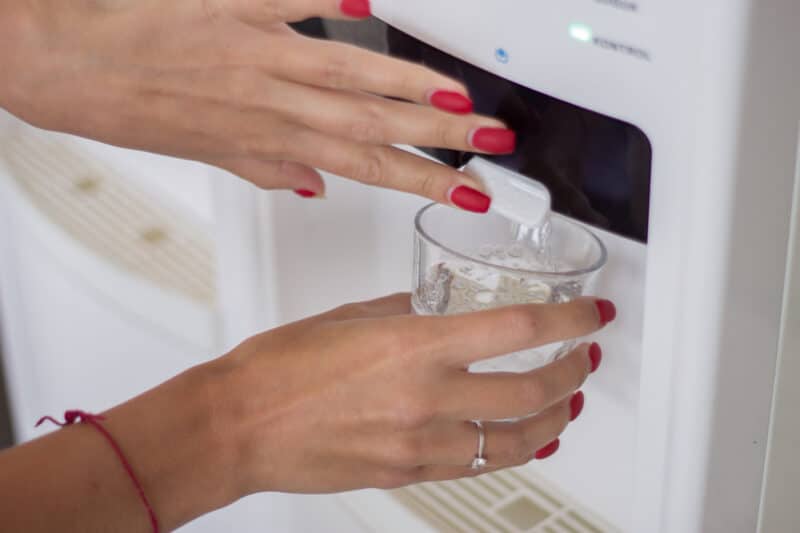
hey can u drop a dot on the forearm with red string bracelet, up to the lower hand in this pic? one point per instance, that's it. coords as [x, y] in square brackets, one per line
[71, 479]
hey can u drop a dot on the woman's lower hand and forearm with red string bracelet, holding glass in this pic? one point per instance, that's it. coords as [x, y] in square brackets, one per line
[367, 395]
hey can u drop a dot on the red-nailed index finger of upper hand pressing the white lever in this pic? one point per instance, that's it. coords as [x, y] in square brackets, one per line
[387, 167]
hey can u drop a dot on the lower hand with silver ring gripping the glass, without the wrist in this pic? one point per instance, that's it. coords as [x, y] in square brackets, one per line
[370, 396]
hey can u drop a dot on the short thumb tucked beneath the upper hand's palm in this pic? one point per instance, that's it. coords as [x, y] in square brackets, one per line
[275, 174]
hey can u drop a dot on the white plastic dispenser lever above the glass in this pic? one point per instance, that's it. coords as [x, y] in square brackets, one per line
[514, 196]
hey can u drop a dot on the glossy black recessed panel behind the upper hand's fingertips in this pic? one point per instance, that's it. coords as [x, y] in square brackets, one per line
[597, 168]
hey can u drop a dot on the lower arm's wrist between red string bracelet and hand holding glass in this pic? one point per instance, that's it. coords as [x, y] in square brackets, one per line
[180, 445]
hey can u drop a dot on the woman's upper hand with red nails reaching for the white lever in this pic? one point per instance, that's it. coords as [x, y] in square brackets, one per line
[227, 82]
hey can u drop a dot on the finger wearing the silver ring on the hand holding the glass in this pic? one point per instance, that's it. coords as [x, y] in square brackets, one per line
[506, 443]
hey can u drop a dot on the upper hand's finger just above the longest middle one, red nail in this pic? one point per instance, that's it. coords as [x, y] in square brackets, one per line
[343, 66]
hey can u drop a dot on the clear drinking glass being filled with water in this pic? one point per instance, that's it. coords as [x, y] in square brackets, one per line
[465, 262]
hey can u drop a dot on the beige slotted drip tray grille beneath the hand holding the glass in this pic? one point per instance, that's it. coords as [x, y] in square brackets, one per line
[510, 501]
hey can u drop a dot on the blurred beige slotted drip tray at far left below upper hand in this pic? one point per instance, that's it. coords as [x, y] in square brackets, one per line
[111, 217]
